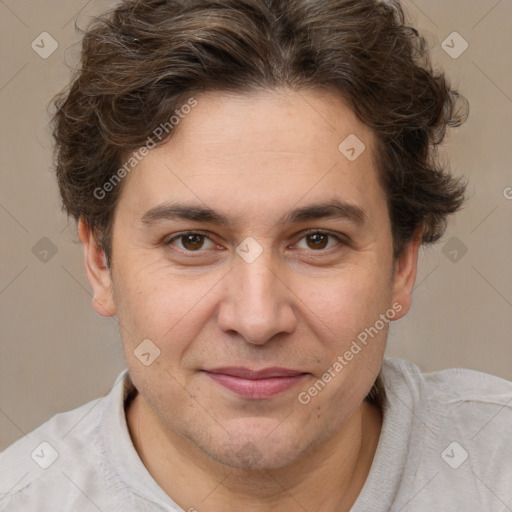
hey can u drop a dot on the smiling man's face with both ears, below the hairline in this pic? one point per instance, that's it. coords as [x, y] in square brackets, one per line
[298, 268]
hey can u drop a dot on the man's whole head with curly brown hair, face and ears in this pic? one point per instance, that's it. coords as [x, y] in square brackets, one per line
[252, 181]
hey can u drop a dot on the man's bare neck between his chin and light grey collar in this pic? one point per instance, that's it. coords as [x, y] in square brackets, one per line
[338, 466]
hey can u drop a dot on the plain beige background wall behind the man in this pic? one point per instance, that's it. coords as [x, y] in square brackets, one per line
[57, 354]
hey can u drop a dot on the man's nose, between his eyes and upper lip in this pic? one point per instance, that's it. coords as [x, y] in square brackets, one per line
[257, 304]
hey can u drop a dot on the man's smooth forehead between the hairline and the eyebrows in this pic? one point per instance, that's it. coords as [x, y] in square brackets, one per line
[253, 150]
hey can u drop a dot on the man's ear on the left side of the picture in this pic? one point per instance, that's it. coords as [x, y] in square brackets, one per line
[97, 271]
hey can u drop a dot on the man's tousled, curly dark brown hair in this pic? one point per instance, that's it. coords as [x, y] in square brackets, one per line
[143, 60]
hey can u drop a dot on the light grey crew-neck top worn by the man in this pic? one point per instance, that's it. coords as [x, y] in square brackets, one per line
[445, 445]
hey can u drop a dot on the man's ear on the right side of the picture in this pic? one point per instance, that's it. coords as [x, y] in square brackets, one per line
[405, 275]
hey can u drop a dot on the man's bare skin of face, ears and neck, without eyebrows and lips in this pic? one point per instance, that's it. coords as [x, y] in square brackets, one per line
[254, 157]
